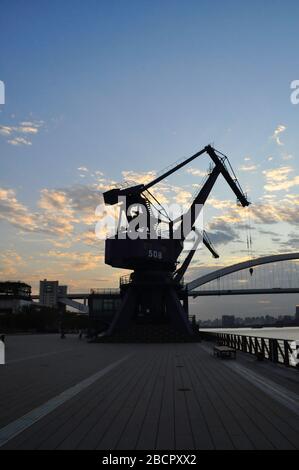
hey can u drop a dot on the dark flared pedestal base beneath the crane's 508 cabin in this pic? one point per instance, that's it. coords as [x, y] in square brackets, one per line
[152, 300]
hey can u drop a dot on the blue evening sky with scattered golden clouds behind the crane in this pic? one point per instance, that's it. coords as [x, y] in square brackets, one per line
[100, 91]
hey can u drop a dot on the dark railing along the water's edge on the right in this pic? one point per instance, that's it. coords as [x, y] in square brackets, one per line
[273, 349]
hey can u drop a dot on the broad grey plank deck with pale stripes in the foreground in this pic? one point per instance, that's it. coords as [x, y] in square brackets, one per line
[59, 394]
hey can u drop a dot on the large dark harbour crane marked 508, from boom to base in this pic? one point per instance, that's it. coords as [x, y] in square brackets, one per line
[153, 293]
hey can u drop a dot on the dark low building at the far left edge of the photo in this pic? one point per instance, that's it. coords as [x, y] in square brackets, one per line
[14, 296]
